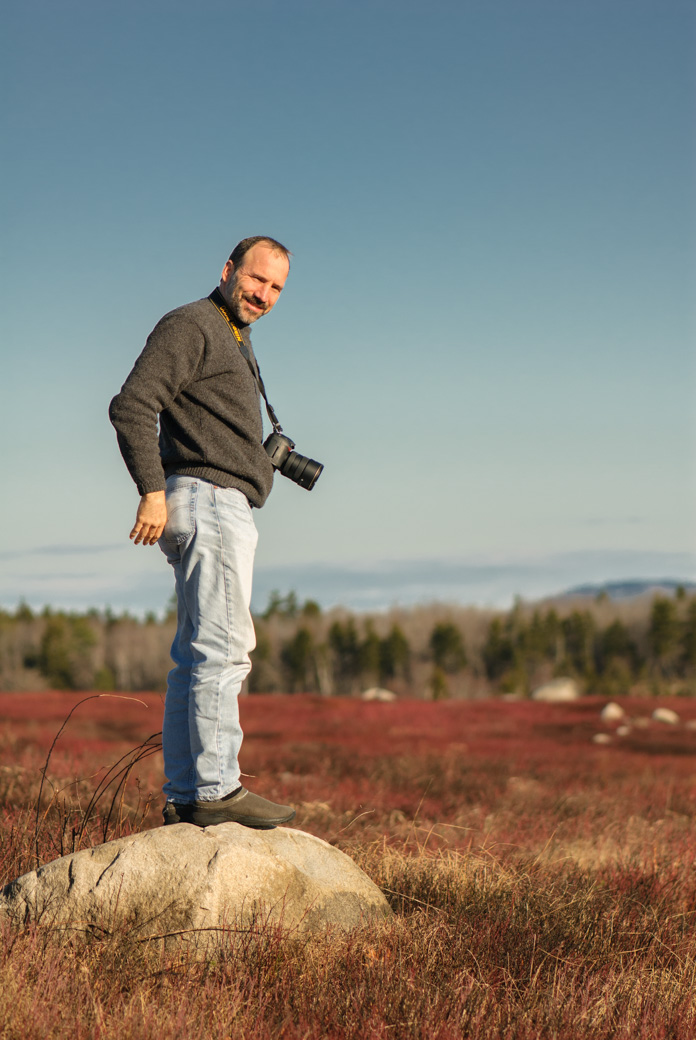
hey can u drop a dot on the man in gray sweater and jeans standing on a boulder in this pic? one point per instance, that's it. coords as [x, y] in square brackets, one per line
[198, 482]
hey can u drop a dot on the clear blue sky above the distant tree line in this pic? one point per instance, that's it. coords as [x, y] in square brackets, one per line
[487, 334]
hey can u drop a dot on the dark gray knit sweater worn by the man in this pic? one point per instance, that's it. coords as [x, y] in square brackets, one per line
[193, 376]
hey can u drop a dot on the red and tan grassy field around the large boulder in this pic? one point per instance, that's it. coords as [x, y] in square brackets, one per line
[544, 885]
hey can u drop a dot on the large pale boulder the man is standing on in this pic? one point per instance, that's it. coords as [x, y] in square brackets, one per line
[195, 887]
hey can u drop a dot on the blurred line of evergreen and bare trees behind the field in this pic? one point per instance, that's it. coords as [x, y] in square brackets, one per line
[649, 645]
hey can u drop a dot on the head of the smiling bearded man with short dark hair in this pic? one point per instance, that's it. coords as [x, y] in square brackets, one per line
[251, 290]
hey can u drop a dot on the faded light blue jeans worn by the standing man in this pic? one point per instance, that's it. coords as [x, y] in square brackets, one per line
[210, 540]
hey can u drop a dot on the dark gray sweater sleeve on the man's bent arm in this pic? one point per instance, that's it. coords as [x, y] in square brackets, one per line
[170, 361]
